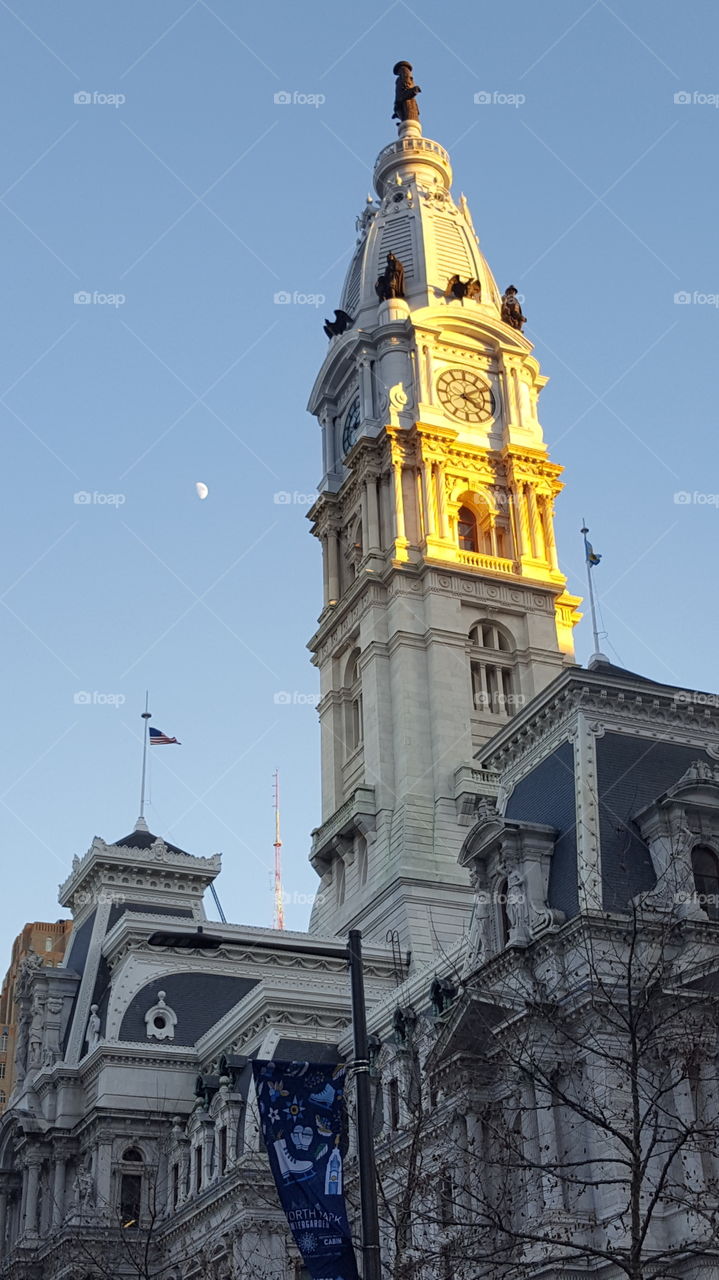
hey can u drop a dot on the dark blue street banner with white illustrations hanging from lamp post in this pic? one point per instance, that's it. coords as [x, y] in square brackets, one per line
[303, 1116]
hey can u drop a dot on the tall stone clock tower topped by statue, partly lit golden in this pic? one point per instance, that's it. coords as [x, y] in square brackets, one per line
[445, 605]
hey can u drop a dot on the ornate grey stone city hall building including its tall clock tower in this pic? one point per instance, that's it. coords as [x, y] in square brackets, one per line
[530, 849]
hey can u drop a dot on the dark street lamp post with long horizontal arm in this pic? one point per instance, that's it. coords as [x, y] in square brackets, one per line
[352, 953]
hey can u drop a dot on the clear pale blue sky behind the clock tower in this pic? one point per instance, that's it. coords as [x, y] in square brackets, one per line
[194, 202]
